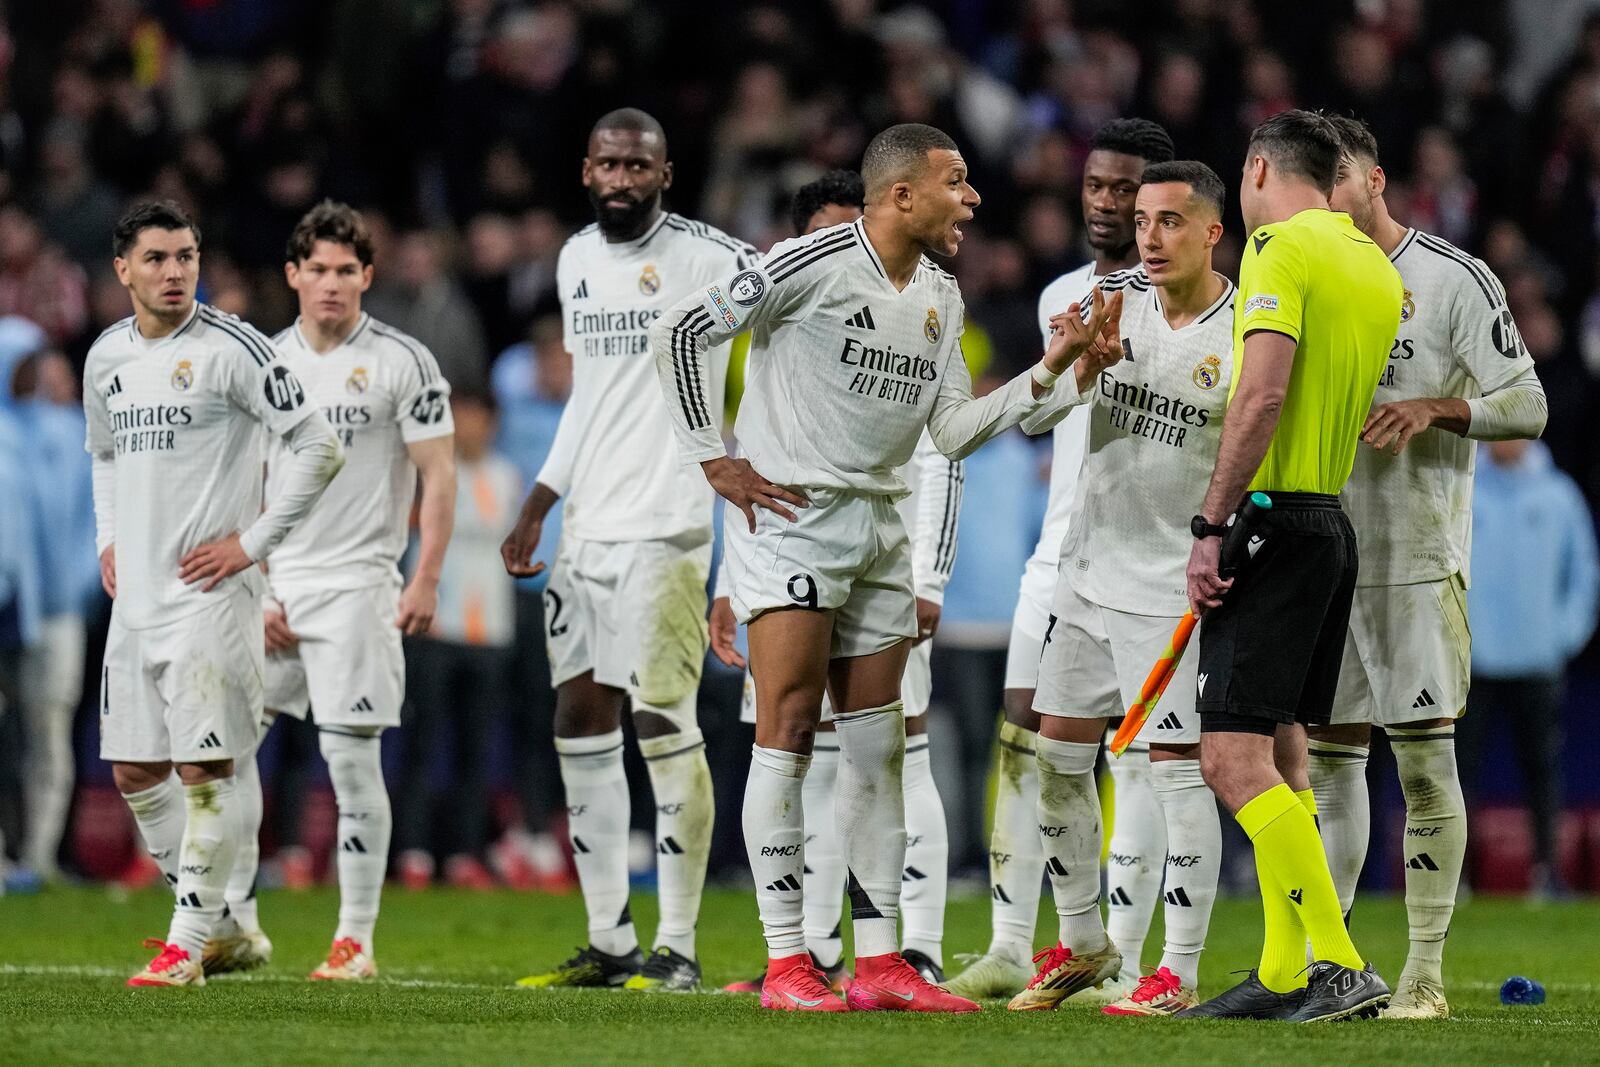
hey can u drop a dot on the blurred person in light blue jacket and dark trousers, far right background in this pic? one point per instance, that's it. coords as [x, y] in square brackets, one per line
[1534, 601]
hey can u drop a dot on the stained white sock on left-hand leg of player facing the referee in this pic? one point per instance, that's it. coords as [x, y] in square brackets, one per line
[1070, 828]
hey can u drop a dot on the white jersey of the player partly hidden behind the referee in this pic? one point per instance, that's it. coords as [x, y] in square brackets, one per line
[1414, 513]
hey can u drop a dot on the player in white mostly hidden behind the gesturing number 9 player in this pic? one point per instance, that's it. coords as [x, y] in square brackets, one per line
[930, 514]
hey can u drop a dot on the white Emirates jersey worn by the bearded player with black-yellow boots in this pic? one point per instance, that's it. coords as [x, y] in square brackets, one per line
[614, 460]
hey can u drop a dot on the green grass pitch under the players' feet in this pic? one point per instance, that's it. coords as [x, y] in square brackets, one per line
[449, 959]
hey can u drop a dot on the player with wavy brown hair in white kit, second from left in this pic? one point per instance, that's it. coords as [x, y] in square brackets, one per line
[337, 609]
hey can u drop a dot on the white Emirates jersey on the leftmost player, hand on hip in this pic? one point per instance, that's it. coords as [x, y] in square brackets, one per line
[182, 420]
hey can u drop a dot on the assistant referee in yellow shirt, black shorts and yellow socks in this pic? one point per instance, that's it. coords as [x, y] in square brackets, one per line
[1318, 311]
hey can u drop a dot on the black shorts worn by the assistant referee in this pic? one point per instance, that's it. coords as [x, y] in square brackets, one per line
[1271, 653]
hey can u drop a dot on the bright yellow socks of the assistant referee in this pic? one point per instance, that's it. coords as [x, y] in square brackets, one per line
[1297, 890]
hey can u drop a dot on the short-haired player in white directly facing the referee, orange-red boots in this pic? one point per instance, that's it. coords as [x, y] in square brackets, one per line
[1156, 423]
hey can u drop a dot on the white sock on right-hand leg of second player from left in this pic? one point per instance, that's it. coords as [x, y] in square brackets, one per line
[366, 825]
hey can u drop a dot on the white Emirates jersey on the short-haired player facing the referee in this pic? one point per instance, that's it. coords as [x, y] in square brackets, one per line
[1154, 430]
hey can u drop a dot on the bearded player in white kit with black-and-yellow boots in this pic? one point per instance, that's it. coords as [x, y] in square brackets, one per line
[626, 604]
